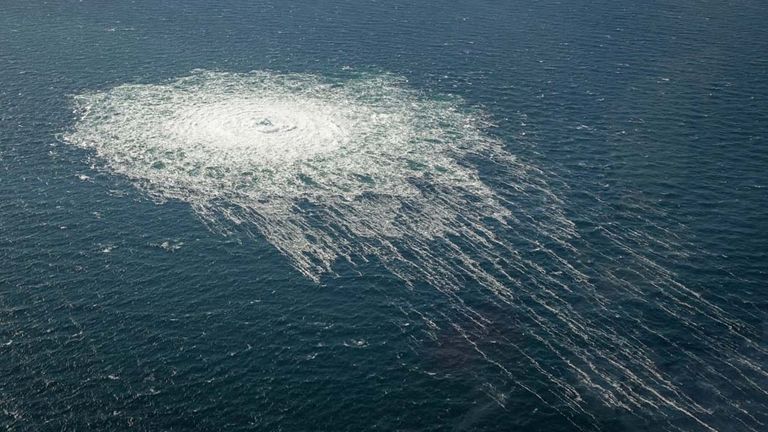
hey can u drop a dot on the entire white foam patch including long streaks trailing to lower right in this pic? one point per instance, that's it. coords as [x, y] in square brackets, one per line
[329, 170]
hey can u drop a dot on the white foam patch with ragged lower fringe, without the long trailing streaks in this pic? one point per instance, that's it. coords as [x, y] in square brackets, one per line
[258, 145]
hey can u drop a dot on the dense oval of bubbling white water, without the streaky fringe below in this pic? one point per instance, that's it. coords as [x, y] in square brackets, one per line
[262, 136]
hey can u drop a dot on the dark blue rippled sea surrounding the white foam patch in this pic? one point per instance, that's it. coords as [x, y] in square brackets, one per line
[644, 129]
